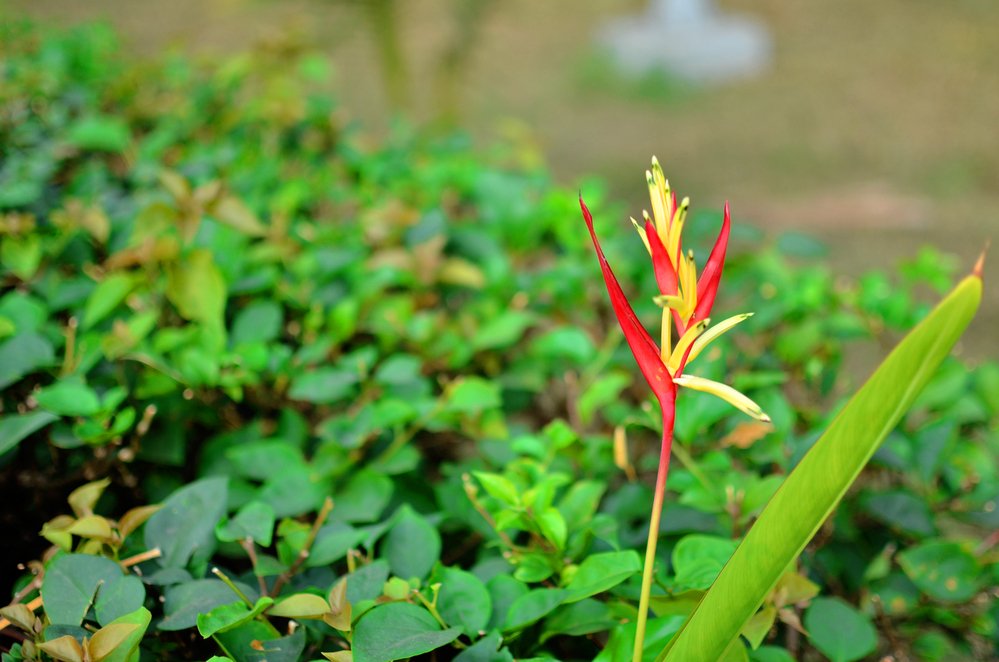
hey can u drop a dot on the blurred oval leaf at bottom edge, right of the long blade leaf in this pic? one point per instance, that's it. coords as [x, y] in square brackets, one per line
[839, 631]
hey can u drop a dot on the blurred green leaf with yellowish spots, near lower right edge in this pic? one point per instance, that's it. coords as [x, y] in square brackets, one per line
[943, 570]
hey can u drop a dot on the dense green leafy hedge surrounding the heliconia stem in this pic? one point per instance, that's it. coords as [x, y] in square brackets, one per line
[376, 390]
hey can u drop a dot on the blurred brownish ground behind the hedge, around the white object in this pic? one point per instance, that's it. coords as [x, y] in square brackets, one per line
[874, 126]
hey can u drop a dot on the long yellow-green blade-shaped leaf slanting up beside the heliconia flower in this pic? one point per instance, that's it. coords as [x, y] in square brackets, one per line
[813, 489]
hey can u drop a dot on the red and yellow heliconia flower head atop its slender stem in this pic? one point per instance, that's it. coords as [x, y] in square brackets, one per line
[686, 301]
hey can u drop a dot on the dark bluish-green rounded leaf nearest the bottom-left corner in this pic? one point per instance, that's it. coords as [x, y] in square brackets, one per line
[70, 585]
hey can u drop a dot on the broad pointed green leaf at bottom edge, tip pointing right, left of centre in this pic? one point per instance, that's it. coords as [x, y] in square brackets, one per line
[397, 631]
